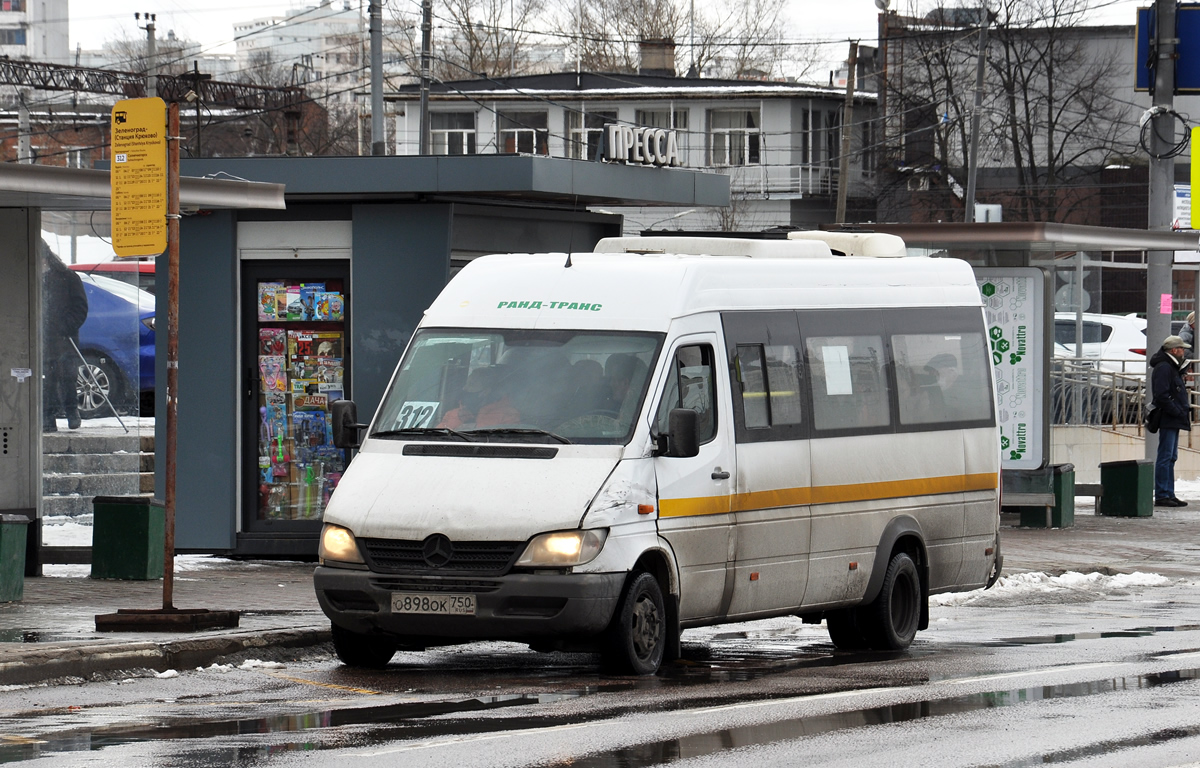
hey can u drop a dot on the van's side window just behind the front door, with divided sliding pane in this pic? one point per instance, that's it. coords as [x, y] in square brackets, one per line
[771, 385]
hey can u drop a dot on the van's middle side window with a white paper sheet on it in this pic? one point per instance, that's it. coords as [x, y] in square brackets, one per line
[850, 386]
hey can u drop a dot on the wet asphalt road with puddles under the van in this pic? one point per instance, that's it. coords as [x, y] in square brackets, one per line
[1070, 677]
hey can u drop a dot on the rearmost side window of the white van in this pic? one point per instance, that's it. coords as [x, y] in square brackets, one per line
[943, 379]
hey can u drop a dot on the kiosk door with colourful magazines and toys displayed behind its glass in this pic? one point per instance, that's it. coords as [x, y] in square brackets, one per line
[296, 362]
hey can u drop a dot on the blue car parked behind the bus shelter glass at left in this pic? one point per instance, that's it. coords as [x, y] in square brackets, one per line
[117, 340]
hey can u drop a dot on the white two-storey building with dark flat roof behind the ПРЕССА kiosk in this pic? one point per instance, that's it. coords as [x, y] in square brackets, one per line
[778, 142]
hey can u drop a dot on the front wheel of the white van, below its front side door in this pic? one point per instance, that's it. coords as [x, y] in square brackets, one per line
[638, 637]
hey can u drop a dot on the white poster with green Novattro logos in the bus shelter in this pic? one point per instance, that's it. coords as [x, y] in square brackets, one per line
[1015, 307]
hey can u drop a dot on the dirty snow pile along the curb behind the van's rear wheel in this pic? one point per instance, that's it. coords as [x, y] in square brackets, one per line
[1042, 589]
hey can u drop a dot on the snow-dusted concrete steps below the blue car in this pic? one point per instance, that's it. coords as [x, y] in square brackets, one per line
[79, 466]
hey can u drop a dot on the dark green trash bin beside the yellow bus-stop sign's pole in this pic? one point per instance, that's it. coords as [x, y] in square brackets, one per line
[128, 537]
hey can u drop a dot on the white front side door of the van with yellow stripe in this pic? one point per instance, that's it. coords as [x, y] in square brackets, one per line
[695, 493]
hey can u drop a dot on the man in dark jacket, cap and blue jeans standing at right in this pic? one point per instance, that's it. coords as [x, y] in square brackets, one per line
[1172, 398]
